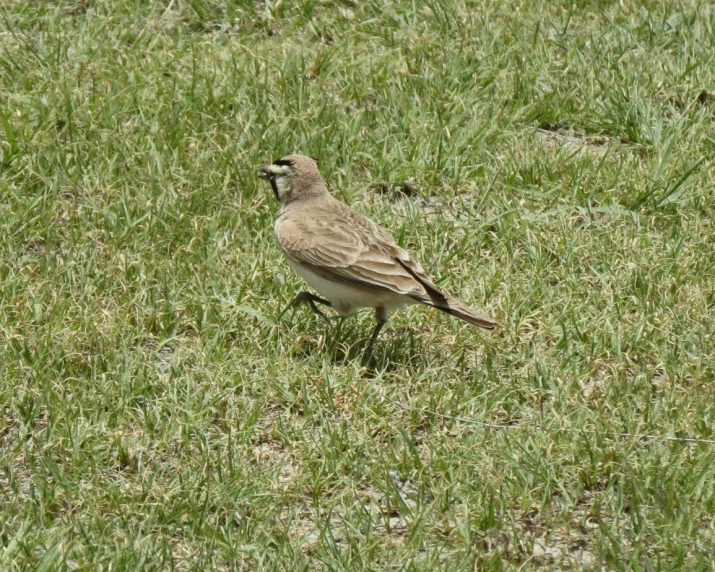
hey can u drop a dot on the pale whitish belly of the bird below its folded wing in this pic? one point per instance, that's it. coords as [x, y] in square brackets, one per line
[346, 298]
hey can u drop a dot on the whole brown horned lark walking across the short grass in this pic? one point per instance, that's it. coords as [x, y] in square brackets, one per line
[345, 256]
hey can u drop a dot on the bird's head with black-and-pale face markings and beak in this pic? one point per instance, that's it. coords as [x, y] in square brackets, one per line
[292, 177]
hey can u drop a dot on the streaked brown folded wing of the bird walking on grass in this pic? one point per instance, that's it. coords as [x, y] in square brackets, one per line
[349, 248]
